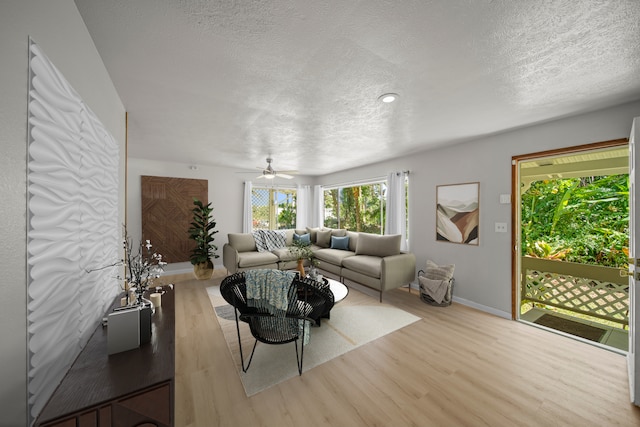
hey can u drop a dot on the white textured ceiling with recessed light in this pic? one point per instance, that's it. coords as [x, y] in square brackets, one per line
[229, 82]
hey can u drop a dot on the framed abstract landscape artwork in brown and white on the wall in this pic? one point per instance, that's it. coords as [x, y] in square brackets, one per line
[458, 213]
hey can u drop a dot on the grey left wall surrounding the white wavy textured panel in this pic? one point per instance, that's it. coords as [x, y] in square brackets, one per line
[59, 30]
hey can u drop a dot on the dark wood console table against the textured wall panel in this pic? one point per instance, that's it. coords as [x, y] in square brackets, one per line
[131, 388]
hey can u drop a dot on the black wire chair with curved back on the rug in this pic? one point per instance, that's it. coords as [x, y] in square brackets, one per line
[266, 327]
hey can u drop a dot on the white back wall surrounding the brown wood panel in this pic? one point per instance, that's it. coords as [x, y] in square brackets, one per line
[226, 194]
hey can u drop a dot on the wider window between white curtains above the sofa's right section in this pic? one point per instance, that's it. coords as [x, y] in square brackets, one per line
[356, 208]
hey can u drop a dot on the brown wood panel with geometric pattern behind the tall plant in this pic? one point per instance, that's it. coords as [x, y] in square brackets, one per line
[166, 213]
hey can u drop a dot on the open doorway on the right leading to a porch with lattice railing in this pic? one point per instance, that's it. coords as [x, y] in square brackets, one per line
[571, 240]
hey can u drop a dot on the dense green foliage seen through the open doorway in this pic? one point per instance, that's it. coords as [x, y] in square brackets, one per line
[582, 220]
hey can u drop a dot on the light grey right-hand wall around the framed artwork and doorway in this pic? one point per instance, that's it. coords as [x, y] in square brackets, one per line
[483, 273]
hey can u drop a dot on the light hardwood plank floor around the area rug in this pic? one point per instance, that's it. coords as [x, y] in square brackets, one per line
[456, 366]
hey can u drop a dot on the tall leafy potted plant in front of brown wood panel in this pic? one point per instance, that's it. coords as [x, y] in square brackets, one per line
[201, 231]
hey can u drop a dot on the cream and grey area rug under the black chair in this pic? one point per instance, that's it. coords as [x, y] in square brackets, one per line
[349, 327]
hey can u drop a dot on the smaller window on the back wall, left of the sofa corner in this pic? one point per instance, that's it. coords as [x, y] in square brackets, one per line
[273, 209]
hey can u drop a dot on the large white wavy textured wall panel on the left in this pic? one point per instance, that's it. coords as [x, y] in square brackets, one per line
[73, 226]
